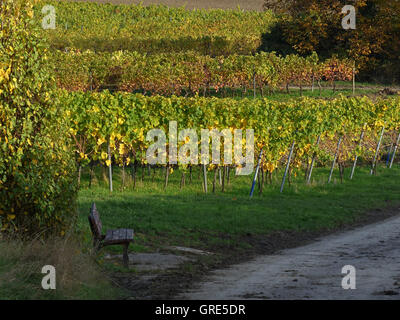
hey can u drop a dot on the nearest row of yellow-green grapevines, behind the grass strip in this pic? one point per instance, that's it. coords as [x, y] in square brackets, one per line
[111, 128]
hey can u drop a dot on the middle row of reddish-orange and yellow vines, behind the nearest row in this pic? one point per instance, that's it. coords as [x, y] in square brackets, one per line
[189, 73]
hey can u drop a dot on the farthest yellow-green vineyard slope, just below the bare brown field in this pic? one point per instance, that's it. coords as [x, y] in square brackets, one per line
[154, 29]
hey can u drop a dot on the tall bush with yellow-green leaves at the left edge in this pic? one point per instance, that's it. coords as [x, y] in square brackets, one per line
[37, 185]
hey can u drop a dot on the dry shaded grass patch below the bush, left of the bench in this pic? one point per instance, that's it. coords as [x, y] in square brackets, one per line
[77, 275]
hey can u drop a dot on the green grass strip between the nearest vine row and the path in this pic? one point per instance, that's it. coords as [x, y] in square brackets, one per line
[188, 217]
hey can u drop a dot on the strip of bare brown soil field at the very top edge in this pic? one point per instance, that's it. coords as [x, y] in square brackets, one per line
[192, 4]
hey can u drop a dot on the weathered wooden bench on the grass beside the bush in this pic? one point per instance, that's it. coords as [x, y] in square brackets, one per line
[112, 237]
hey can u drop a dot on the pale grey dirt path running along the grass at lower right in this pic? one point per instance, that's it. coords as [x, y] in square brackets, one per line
[314, 271]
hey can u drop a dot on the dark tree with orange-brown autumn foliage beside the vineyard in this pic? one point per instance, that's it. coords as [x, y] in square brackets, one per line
[310, 25]
